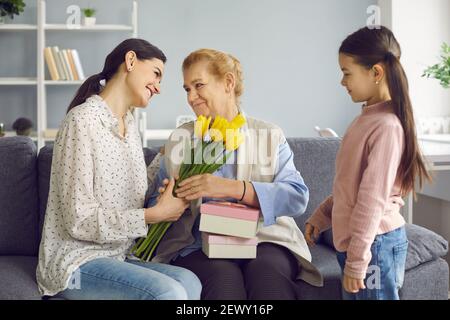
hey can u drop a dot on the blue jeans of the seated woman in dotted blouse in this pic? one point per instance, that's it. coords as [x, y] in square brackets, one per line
[111, 279]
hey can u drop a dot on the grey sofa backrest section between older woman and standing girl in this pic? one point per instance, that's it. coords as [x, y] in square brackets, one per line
[315, 159]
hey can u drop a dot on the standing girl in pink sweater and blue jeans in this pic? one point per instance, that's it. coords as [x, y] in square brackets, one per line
[377, 164]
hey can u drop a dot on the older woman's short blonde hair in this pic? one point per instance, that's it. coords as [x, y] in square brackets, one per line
[220, 63]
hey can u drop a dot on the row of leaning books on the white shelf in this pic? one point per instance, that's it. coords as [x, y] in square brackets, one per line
[63, 64]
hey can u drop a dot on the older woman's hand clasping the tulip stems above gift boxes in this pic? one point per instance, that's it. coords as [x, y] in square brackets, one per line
[206, 185]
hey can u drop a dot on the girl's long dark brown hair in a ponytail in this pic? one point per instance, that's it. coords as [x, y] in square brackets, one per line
[369, 47]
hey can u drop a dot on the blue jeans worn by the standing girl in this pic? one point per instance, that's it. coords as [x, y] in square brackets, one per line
[386, 269]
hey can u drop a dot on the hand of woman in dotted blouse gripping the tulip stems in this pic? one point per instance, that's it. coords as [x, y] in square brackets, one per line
[167, 208]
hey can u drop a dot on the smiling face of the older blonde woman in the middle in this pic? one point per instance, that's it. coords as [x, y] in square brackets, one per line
[206, 94]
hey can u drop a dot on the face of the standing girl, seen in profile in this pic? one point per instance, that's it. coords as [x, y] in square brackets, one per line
[359, 81]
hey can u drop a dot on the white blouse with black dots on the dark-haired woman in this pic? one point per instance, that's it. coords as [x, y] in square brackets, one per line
[97, 191]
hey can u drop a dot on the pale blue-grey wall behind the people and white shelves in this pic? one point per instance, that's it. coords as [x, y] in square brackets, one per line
[288, 49]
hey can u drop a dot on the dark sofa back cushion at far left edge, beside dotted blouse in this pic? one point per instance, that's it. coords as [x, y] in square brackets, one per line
[18, 197]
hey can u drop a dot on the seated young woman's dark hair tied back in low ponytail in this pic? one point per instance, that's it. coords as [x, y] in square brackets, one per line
[144, 51]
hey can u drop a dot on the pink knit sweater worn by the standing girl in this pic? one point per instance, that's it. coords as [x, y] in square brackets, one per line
[366, 197]
